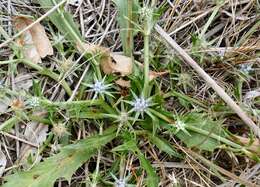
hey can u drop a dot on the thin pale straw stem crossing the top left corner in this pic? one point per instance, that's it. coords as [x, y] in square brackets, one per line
[31, 25]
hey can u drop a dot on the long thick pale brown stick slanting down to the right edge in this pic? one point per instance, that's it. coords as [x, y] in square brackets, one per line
[220, 91]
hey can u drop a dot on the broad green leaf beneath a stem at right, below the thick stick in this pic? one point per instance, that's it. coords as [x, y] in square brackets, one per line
[197, 124]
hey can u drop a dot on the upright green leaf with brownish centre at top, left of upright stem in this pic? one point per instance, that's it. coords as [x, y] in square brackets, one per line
[127, 15]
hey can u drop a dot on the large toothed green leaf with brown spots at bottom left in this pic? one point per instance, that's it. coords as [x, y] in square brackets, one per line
[62, 165]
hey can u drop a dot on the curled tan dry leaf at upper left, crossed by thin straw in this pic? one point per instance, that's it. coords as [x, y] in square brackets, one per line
[35, 43]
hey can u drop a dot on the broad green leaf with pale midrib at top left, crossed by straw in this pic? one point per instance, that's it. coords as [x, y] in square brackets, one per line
[63, 21]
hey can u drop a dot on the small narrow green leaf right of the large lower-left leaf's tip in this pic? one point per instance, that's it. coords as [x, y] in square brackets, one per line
[162, 145]
